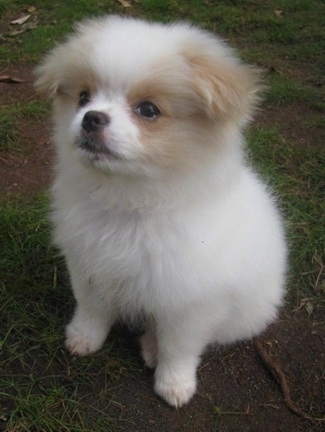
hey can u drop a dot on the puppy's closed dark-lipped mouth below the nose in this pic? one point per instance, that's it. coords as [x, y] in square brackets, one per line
[94, 149]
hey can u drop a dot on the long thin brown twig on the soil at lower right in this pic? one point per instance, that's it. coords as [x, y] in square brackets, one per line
[274, 368]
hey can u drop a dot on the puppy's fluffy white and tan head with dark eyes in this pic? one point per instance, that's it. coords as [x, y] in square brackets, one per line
[136, 96]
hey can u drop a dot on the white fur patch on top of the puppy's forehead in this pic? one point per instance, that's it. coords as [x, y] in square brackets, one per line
[123, 51]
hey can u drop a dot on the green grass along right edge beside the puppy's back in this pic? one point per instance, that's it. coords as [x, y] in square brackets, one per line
[297, 174]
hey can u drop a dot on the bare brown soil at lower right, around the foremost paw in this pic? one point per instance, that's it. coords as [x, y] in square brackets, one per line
[236, 391]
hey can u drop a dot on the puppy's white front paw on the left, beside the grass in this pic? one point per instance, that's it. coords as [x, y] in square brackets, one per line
[79, 342]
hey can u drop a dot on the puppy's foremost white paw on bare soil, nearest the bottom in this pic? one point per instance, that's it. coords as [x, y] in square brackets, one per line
[175, 389]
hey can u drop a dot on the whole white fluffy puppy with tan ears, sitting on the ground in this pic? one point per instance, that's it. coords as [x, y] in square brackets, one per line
[154, 207]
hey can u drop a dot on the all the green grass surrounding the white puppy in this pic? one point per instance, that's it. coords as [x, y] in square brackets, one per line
[41, 387]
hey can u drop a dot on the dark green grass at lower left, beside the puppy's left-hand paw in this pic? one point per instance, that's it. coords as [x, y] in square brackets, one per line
[43, 388]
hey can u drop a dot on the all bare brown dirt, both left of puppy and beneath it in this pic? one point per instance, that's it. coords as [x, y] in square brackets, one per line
[237, 392]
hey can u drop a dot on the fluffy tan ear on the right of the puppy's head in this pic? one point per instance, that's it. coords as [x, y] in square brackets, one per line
[227, 89]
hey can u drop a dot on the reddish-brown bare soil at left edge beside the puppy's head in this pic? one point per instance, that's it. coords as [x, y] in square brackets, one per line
[27, 168]
